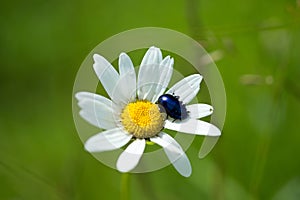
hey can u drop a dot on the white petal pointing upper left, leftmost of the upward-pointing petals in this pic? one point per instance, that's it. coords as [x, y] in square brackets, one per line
[106, 73]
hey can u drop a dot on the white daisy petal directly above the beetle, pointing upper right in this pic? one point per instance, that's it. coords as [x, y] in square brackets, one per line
[187, 88]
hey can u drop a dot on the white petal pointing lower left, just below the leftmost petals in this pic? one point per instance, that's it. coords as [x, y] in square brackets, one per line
[107, 140]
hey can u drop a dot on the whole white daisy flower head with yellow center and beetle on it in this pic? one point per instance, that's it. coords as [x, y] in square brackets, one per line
[133, 115]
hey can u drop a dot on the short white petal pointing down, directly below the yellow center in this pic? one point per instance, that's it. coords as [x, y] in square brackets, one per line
[131, 156]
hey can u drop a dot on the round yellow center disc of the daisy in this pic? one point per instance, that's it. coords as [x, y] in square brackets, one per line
[143, 119]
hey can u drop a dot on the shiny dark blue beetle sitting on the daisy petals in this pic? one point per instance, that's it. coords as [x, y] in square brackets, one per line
[172, 106]
